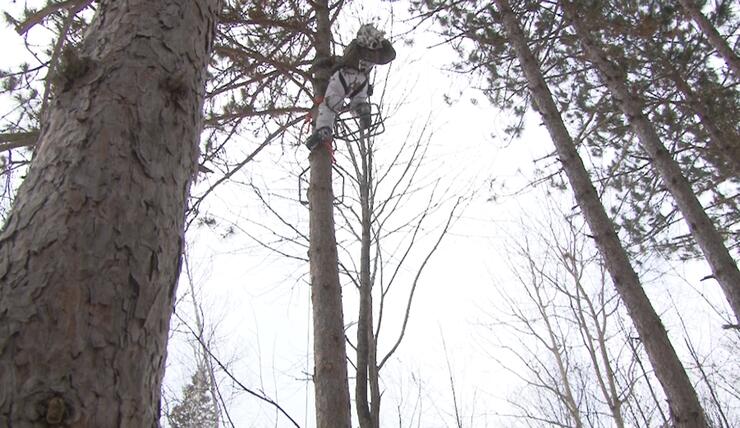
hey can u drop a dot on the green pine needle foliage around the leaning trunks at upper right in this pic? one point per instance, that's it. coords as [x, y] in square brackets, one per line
[692, 101]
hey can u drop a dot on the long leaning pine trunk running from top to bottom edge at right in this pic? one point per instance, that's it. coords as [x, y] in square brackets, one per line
[687, 411]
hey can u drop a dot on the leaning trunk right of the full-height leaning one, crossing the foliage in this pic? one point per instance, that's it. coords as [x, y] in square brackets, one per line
[723, 266]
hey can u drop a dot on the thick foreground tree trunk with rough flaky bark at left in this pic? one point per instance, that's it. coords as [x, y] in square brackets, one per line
[90, 255]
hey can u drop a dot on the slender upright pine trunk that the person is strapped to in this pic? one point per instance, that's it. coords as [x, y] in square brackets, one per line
[330, 355]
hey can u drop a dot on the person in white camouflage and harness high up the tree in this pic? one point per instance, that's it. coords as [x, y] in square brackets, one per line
[350, 80]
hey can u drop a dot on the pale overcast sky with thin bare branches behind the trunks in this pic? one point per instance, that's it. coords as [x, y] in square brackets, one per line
[492, 336]
